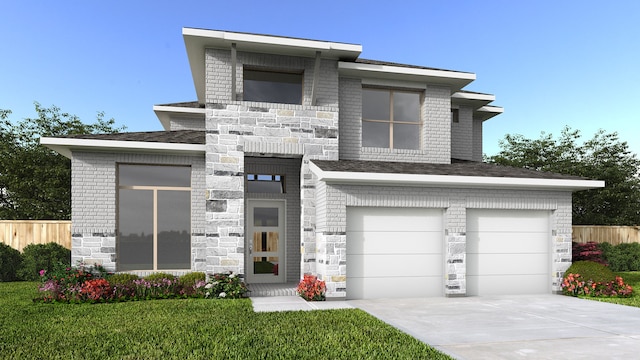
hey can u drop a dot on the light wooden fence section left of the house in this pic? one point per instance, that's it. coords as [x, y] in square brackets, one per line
[20, 233]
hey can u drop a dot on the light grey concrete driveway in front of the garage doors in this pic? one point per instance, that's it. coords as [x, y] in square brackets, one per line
[515, 327]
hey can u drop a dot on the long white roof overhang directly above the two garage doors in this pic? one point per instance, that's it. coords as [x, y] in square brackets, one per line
[364, 178]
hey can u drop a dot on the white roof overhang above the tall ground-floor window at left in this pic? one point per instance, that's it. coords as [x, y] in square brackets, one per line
[65, 146]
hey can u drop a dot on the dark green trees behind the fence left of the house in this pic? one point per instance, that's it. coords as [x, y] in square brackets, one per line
[35, 182]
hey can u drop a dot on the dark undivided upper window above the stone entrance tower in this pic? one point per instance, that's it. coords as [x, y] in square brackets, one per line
[272, 86]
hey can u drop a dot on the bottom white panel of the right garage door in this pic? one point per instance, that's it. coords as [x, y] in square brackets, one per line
[515, 284]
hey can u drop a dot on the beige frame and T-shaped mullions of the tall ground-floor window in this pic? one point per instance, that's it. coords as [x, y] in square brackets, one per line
[155, 189]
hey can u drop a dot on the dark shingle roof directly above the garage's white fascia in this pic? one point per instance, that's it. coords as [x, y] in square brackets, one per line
[456, 168]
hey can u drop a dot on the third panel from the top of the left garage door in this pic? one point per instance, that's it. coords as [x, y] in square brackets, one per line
[388, 265]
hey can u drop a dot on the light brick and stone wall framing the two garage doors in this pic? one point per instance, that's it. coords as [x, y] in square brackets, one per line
[331, 226]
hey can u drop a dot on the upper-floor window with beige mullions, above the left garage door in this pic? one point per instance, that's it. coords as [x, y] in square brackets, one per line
[390, 119]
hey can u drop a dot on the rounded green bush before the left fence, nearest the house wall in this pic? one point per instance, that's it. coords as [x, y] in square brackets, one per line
[36, 257]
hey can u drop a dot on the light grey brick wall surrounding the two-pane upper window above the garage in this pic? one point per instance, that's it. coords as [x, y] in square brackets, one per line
[435, 136]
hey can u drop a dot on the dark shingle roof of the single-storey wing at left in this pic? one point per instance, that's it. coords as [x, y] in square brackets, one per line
[172, 137]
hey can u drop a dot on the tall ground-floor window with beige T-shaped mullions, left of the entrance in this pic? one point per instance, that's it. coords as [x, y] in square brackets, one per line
[154, 217]
